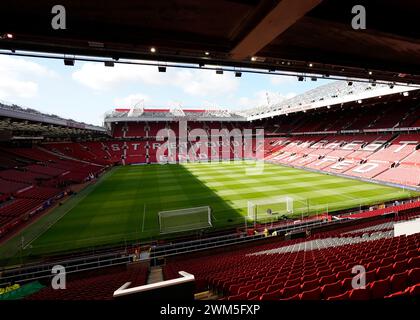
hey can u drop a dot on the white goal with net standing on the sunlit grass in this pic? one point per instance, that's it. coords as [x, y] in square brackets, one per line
[267, 208]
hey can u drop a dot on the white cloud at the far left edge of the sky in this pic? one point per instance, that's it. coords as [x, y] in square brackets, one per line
[17, 77]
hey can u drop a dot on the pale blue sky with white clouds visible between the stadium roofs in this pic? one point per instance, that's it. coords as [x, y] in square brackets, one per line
[86, 91]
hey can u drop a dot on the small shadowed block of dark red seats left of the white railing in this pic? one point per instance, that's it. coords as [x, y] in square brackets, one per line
[91, 286]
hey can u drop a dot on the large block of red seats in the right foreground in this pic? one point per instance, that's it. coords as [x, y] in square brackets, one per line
[392, 266]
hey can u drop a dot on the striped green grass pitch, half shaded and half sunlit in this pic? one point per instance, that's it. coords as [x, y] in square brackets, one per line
[124, 205]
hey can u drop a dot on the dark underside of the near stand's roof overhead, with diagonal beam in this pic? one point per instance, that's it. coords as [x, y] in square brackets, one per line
[302, 36]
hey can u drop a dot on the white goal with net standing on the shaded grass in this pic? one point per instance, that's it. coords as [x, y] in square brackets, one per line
[185, 219]
